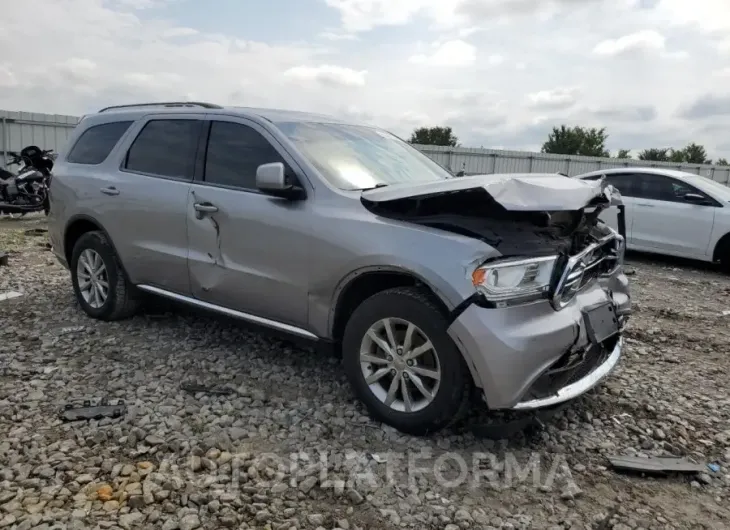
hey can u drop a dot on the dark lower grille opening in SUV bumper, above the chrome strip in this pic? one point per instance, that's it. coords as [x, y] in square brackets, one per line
[570, 368]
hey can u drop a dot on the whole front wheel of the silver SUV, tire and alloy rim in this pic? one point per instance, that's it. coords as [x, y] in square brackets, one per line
[402, 363]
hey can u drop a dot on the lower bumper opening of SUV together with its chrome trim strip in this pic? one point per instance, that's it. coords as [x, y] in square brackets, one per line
[573, 375]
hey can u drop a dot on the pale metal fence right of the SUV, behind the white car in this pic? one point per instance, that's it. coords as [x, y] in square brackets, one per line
[483, 161]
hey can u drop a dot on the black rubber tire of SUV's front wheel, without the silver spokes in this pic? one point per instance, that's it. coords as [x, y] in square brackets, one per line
[403, 305]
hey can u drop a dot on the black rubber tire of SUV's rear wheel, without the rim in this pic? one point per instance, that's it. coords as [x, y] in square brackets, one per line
[122, 299]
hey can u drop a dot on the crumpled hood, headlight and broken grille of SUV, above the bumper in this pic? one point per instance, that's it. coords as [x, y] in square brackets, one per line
[546, 229]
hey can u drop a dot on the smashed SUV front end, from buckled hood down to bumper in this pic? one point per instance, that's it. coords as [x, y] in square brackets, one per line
[544, 323]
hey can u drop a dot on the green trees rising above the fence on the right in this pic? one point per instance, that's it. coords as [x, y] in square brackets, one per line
[580, 141]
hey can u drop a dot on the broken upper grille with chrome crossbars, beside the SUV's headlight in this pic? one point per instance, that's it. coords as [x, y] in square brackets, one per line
[598, 259]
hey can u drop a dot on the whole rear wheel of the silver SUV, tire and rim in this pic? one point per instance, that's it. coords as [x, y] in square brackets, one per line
[99, 281]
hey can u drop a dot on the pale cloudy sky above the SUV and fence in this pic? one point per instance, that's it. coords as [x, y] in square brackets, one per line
[501, 73]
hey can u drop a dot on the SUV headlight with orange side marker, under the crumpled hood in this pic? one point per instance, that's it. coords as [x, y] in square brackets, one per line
[510, 281]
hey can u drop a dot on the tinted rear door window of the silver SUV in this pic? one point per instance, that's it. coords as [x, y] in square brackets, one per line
[165, 148]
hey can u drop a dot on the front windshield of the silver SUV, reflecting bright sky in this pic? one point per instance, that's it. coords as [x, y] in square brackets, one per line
[355, 157]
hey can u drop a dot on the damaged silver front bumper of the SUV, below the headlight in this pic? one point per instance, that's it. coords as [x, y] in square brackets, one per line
[523, 357]
